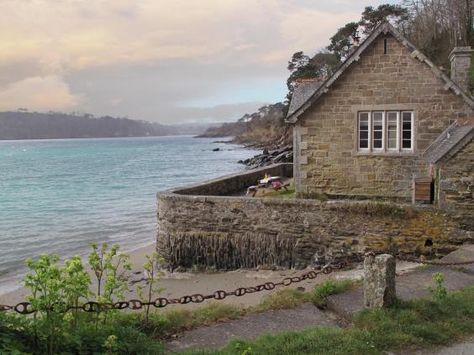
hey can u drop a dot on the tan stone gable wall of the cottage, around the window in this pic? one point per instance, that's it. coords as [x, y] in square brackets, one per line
[327, 160]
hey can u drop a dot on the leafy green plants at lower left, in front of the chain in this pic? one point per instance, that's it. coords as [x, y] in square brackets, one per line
[55, 328]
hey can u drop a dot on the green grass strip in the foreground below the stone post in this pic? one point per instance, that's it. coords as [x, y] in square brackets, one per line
[413, 324]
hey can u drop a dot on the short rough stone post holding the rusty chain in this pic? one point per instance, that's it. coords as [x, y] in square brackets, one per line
[379, 281]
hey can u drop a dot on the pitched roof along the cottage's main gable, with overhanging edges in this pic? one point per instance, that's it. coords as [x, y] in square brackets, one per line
[309, 97]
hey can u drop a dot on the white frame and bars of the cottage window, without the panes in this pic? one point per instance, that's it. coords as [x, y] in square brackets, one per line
[385, 141]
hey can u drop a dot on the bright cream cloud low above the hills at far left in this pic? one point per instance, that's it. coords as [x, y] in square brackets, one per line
[38, 93]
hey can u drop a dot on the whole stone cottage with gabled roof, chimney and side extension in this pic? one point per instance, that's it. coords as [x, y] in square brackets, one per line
[386, 117]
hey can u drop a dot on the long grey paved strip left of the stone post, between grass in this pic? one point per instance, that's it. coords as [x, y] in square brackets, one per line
[254, 325]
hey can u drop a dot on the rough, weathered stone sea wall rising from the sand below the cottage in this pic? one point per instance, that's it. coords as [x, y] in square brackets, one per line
[219, 232]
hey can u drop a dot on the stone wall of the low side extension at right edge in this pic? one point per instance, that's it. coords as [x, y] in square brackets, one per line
[456, 186]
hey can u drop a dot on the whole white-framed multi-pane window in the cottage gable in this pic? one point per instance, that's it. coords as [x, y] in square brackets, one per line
[385, 131]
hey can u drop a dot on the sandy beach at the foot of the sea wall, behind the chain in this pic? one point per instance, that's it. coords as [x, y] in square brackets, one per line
[187, 283]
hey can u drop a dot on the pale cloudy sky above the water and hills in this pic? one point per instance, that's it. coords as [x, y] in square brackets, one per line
[168, 61]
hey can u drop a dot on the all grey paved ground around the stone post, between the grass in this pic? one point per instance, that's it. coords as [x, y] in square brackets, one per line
[409, 286]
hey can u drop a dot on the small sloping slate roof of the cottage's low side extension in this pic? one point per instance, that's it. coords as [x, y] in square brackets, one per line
[454, 138]
